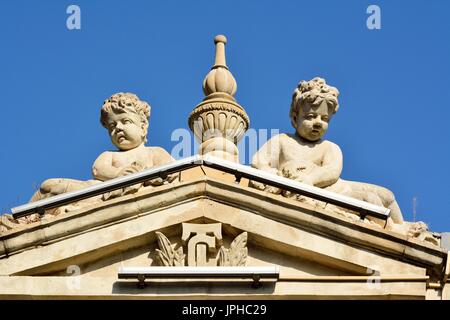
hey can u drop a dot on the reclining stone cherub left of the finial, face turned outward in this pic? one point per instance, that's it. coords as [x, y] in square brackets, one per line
[125, 117]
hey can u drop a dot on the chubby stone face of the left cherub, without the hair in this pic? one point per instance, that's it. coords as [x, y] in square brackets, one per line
[126, 130]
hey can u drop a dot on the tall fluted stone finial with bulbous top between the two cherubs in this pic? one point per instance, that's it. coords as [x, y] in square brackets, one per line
[219, 122]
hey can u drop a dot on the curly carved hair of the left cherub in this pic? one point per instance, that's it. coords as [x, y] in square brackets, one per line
[123, 103]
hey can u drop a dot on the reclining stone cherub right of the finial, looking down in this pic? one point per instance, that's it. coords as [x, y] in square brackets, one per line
[306, 157]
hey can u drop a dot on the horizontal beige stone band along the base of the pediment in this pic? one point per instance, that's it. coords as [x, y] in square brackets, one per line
[109, 288]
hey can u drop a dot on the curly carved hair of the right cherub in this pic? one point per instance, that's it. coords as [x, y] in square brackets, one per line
[314, 92]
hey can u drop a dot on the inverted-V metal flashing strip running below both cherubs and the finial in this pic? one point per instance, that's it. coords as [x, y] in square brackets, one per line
[239, 170]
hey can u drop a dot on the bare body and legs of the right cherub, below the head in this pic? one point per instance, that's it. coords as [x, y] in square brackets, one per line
[318, 163]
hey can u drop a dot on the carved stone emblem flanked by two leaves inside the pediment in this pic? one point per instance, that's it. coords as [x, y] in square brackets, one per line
[204, 247]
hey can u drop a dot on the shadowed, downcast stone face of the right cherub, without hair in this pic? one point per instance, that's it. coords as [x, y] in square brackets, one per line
[312, 121]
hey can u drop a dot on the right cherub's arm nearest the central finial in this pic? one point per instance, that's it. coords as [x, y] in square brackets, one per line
[268, 156]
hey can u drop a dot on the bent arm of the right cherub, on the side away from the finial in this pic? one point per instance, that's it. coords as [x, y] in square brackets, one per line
[330, 170]
